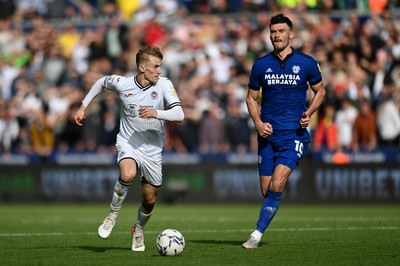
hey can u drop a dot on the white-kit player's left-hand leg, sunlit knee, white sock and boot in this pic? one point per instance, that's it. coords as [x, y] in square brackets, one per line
[128, 170]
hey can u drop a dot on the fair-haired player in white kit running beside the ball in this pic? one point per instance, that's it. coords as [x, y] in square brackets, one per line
[147, 100]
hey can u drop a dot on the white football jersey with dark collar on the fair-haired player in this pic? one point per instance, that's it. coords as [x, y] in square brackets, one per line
[146, 135]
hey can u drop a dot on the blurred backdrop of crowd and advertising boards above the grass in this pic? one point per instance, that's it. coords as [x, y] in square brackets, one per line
[52, 51]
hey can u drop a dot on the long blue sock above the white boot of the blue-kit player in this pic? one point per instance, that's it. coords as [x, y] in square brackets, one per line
[268, 210]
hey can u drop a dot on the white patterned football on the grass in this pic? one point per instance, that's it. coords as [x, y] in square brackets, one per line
[170, 242]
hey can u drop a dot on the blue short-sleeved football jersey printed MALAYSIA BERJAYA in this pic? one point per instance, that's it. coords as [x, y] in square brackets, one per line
[284, 85]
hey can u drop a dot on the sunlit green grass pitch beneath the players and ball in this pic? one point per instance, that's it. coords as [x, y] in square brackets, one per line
[66, 234]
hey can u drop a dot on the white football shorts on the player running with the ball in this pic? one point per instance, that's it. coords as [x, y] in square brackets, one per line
[149, 168]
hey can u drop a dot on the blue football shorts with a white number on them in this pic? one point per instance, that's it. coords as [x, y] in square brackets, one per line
[285, 147]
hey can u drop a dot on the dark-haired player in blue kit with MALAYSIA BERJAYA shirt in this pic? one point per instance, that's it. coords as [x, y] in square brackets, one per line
[284, 76]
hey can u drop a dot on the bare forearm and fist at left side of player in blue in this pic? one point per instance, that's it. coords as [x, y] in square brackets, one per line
[264, 129]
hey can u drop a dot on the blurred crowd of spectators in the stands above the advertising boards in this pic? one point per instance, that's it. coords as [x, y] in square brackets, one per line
[52, 51]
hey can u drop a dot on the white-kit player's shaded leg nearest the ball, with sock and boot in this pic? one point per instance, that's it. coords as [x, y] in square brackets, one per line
[145, 210]
